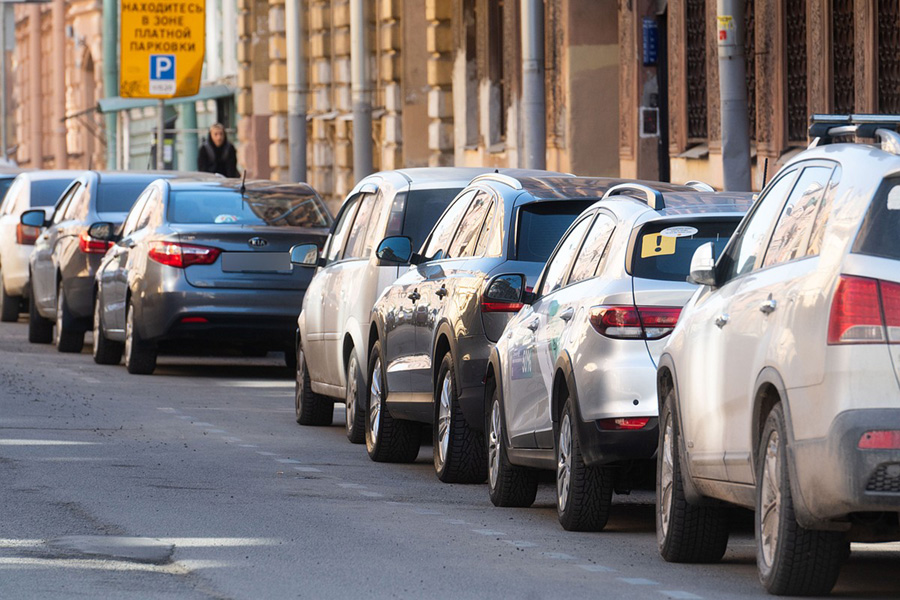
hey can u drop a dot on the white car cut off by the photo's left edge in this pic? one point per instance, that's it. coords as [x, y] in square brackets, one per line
[30, 189]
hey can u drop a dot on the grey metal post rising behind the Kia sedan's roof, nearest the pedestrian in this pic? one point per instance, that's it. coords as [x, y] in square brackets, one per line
[296, 66]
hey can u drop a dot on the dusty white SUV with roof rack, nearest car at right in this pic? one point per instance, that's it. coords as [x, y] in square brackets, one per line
[779, 390]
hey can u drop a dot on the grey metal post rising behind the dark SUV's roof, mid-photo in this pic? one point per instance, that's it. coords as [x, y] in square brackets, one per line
[534, 113]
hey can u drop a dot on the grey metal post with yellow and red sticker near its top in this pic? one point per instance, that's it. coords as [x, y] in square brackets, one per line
[733, 93]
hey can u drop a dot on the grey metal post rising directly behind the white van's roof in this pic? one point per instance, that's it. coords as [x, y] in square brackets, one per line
[362, 103]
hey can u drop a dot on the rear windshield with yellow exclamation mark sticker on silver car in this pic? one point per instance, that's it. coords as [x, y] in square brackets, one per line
[663, 250]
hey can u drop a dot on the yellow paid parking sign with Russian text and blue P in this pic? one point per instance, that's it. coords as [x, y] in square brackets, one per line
[163, 42]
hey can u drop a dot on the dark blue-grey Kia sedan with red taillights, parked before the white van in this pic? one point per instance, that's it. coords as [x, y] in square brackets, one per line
[205, 262]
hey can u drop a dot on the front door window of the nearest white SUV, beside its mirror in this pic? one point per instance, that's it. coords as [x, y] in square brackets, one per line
[746, 246]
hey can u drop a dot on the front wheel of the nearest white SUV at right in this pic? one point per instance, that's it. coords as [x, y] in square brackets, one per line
[685, 533]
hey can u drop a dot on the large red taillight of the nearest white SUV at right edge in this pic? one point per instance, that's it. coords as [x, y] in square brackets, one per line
[864, 311]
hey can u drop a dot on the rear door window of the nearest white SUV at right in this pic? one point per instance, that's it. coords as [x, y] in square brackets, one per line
[797, 217]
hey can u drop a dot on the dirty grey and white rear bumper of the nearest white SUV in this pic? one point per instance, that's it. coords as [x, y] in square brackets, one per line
[833, 477]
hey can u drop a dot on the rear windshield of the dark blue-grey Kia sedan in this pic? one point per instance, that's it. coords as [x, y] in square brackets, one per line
[272, 208]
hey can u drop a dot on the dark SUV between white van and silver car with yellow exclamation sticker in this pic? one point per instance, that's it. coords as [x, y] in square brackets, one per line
[432, 330]
